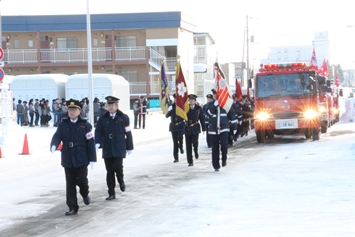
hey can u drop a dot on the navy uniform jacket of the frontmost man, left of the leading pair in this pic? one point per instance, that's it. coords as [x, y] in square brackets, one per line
[78, 145]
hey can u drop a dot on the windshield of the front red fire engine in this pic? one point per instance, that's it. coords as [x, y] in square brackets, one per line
[300, 84]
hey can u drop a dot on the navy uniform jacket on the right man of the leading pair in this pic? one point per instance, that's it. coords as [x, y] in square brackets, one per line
[114, 135]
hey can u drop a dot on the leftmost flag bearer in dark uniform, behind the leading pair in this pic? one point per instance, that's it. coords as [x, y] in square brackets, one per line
[176, 127]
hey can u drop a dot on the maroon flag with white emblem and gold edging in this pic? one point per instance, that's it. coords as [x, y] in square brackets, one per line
[182, 104]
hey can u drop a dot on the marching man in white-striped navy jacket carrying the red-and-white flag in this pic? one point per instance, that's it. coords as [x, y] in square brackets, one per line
[219, 125]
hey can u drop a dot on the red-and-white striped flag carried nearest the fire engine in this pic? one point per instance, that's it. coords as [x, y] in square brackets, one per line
[224, 99]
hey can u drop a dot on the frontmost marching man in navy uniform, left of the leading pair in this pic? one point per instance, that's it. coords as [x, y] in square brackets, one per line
[78, 150]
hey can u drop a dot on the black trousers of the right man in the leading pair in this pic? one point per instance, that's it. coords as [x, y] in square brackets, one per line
[113, 166]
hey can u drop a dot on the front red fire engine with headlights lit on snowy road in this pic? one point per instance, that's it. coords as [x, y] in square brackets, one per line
[286, 101]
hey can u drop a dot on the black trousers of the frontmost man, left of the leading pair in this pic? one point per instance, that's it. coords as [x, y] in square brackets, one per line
[73, 177]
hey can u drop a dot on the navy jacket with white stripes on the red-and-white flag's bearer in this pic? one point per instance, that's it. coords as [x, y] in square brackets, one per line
[226, 120]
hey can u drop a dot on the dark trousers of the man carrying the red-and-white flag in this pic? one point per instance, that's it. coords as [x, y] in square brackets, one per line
[219, 142]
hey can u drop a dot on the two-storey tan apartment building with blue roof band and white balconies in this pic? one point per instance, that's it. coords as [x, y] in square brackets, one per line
[131, 45]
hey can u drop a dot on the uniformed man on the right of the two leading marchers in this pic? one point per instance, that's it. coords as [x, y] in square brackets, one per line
[113, 134]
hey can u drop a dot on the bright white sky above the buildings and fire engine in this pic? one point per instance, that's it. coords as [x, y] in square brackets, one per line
[273, 23]
